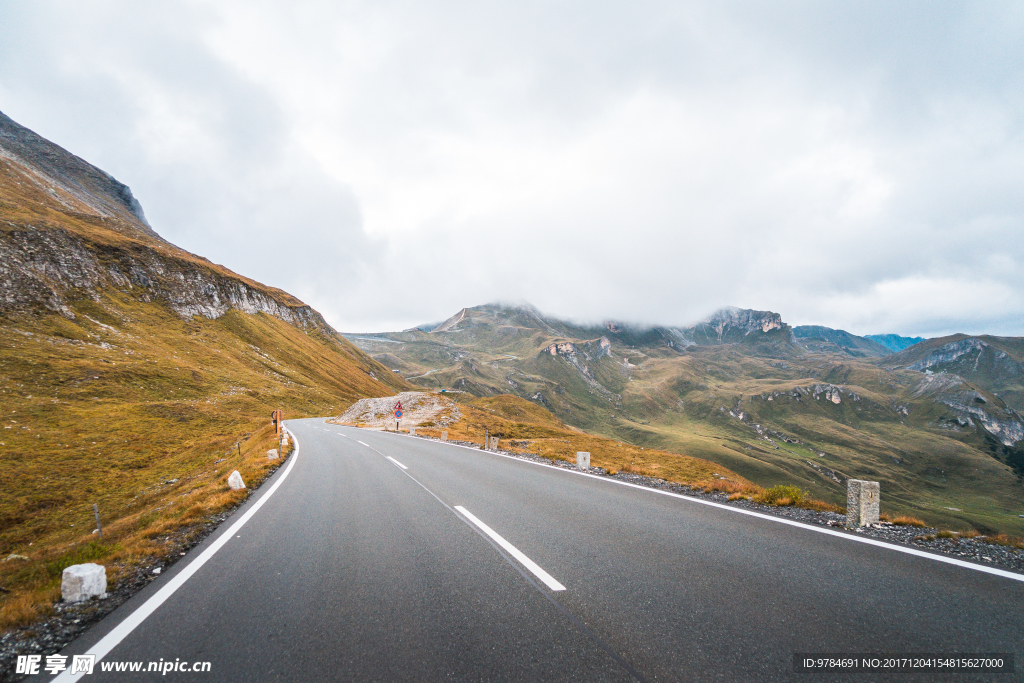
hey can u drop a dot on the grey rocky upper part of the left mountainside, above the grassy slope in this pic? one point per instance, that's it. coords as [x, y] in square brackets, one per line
[70, 231]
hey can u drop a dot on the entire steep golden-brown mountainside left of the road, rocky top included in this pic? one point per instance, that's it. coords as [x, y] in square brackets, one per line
[133, 372]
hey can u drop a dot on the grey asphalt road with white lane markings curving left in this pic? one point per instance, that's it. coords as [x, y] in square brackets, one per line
[363, 566]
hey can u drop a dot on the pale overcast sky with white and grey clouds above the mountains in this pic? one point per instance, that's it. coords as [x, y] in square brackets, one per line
[858, 165]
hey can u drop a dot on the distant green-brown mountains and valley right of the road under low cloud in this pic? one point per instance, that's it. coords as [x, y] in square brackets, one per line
[741, 389]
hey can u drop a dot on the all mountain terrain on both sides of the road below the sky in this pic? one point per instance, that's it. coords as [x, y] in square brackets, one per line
[136, 376]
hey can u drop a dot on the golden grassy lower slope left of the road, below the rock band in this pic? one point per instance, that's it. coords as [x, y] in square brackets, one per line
[145, 414]
